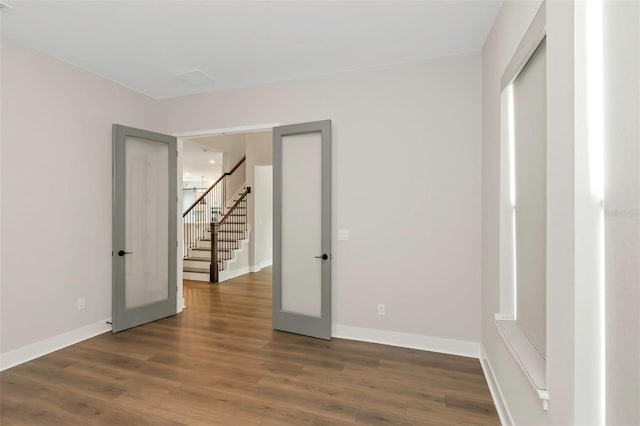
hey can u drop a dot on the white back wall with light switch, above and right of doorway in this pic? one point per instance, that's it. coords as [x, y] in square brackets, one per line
[406, 183]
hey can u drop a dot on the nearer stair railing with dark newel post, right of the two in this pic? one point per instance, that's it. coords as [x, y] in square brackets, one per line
[227, 225]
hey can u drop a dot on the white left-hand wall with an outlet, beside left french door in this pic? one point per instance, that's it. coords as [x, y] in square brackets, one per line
[56, 193]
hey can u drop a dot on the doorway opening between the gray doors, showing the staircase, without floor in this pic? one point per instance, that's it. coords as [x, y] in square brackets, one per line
[225, 177]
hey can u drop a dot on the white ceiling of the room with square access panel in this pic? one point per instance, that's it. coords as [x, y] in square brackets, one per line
[144, 45]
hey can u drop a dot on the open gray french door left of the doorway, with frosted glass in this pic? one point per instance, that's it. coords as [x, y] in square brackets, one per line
[144, 227]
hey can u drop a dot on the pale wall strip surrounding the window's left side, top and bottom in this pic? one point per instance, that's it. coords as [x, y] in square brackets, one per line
[511, 24]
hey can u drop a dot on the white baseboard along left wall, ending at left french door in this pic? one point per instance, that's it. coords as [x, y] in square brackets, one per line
[52, 344]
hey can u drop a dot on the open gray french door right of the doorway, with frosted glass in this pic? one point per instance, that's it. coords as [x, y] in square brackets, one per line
[302, 229]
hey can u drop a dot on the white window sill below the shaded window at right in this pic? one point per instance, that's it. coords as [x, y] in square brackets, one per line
[528, 357]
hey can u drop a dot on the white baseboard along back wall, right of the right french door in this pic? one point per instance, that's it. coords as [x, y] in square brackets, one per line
[407, 340]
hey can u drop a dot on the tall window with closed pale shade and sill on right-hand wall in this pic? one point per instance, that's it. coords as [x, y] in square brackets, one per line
[523, 206]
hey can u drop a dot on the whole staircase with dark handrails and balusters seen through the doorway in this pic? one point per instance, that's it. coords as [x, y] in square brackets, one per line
[227, 220]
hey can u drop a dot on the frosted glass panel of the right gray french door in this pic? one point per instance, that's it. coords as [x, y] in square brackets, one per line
[301, 218]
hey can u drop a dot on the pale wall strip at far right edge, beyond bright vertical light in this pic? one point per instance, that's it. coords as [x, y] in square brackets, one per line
[622, 202]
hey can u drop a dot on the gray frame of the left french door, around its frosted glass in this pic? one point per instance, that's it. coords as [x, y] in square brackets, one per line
[123, 318]
